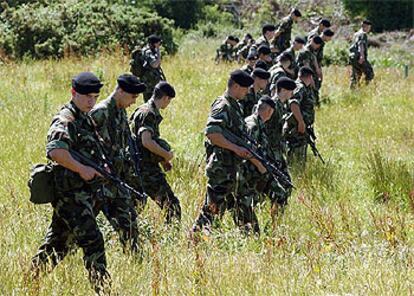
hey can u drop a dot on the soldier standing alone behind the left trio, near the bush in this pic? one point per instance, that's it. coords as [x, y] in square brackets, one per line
[152, 71]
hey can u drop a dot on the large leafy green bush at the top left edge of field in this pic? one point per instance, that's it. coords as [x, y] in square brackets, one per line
[82, 28]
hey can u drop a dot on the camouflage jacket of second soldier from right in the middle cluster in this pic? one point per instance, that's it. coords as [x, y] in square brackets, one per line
[274, 126]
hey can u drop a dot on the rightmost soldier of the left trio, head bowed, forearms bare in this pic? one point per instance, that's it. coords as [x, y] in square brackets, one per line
[144, 124]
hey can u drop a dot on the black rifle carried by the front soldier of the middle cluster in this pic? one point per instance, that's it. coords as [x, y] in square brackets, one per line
[276, 173]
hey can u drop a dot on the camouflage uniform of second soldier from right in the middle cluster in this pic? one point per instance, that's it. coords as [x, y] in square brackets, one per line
[274, 132]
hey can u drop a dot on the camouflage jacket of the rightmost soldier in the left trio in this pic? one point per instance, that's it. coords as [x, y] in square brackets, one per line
[147, 118]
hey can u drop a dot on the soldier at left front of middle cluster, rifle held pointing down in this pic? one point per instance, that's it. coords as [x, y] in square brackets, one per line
[223, 156]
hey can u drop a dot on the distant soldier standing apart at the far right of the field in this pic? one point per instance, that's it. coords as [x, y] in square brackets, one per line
[358, 57]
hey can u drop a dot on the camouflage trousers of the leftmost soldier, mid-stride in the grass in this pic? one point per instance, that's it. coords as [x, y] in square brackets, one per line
[74, 222]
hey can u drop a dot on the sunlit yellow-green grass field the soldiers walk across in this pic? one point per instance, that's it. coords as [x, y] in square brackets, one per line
[336, 236]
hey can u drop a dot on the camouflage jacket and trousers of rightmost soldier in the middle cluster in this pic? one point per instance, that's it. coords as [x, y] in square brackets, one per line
[297, 143]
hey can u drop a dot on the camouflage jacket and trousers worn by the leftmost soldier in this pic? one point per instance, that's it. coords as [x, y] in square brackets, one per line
[75, 204]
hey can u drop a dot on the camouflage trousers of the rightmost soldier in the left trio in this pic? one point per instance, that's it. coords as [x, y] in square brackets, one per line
[155, 185]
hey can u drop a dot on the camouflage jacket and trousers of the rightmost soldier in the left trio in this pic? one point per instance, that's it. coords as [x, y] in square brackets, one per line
[148, 118]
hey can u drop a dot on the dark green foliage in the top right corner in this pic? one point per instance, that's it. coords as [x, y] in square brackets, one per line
[385, 15]
